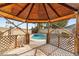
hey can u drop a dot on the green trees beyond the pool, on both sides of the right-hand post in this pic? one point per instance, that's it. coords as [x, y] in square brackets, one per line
[59, 24]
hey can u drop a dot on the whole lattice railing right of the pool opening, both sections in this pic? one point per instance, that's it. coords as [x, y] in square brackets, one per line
[63, 41]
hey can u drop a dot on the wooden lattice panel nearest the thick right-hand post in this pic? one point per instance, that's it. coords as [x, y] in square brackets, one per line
[67, 43]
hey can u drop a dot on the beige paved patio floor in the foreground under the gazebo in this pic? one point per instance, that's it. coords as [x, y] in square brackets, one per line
[43, 50]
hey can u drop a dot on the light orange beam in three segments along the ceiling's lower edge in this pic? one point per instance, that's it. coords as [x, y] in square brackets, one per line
[24, 20]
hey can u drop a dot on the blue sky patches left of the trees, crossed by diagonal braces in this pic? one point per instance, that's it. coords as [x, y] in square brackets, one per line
[3, 24]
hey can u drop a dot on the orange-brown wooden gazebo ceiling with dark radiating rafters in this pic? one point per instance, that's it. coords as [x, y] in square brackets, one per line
[38, 12]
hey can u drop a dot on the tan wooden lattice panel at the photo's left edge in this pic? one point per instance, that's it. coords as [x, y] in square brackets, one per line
[7, 43]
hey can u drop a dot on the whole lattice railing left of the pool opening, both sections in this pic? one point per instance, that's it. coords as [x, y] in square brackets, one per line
[11, 42]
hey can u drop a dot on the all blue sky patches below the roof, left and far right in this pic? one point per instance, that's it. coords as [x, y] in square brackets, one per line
[3, 23]
